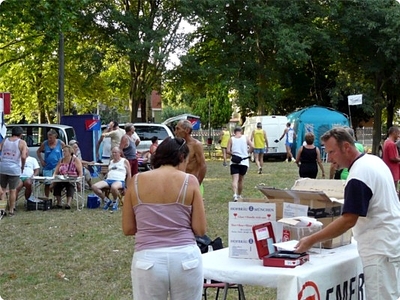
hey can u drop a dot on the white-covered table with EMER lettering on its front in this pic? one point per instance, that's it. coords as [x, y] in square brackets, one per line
[327, 273]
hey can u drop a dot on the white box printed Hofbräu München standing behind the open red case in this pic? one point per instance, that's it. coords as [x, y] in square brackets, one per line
[242, 217]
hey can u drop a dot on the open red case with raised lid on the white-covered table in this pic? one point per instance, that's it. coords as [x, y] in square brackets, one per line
[264, 238]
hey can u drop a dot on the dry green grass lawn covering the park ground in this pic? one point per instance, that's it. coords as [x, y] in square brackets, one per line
[60, 254]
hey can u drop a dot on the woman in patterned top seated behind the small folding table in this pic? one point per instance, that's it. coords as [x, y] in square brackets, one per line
[69, 165]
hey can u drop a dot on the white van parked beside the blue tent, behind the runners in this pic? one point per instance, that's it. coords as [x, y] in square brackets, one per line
[274, 127]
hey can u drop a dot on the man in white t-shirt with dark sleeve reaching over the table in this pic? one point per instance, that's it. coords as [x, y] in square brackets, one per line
[372, 209]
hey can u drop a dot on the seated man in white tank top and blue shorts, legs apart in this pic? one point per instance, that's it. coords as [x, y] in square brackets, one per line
[119, 171]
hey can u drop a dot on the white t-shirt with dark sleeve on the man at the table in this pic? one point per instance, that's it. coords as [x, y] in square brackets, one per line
[378, 232]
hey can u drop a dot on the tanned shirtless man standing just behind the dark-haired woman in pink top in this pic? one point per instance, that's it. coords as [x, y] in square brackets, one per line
[197, 163]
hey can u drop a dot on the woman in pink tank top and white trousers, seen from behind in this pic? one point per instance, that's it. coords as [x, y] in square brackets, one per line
[164, 209]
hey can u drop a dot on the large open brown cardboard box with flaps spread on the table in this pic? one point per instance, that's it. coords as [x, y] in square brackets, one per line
[319, 198]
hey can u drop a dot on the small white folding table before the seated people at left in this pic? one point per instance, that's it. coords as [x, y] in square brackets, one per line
[79, 195]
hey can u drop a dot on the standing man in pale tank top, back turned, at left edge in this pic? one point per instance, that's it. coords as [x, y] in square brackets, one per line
[13, 156]
